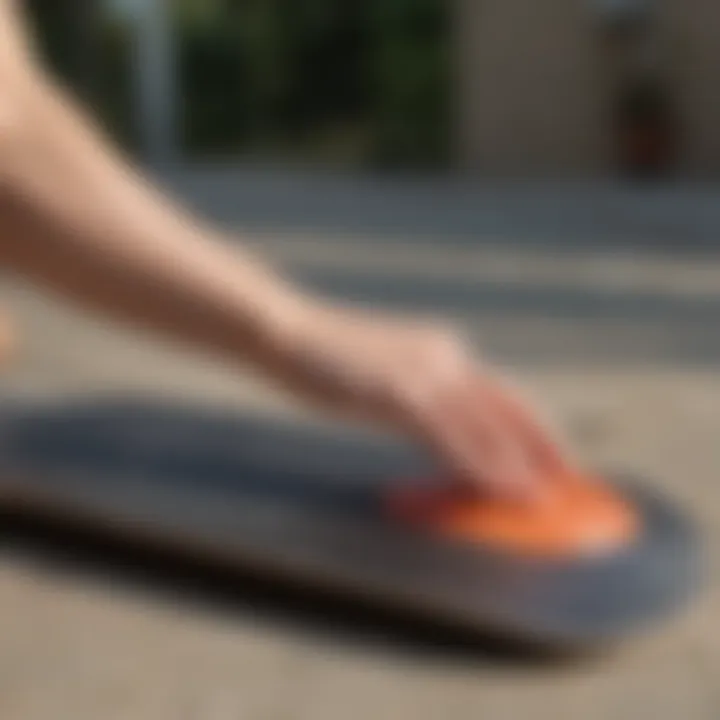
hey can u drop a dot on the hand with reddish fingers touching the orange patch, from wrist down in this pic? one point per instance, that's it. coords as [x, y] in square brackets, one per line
[421, 380]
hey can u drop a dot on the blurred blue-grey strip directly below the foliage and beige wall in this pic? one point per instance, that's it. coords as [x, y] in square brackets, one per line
[566, 214]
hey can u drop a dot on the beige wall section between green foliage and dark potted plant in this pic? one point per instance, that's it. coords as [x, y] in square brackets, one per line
[530, 89]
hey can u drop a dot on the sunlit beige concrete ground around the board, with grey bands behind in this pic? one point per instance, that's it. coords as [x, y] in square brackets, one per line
[617, 336]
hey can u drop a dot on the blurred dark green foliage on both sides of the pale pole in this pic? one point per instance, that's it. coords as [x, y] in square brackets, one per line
[359, 82]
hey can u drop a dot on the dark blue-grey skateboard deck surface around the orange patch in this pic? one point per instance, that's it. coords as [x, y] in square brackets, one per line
[320, 509]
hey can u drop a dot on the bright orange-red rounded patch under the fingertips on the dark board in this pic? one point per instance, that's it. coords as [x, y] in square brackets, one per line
[580, 517]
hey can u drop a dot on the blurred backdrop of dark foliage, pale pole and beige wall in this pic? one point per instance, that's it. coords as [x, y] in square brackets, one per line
[563, 88]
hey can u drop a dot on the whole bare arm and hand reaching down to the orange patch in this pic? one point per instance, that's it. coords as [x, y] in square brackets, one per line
[77, 218]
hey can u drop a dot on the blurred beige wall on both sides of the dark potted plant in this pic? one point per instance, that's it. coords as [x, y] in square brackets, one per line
[534, 87]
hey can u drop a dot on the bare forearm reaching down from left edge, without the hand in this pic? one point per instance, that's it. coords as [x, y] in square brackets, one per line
[76, 216]
